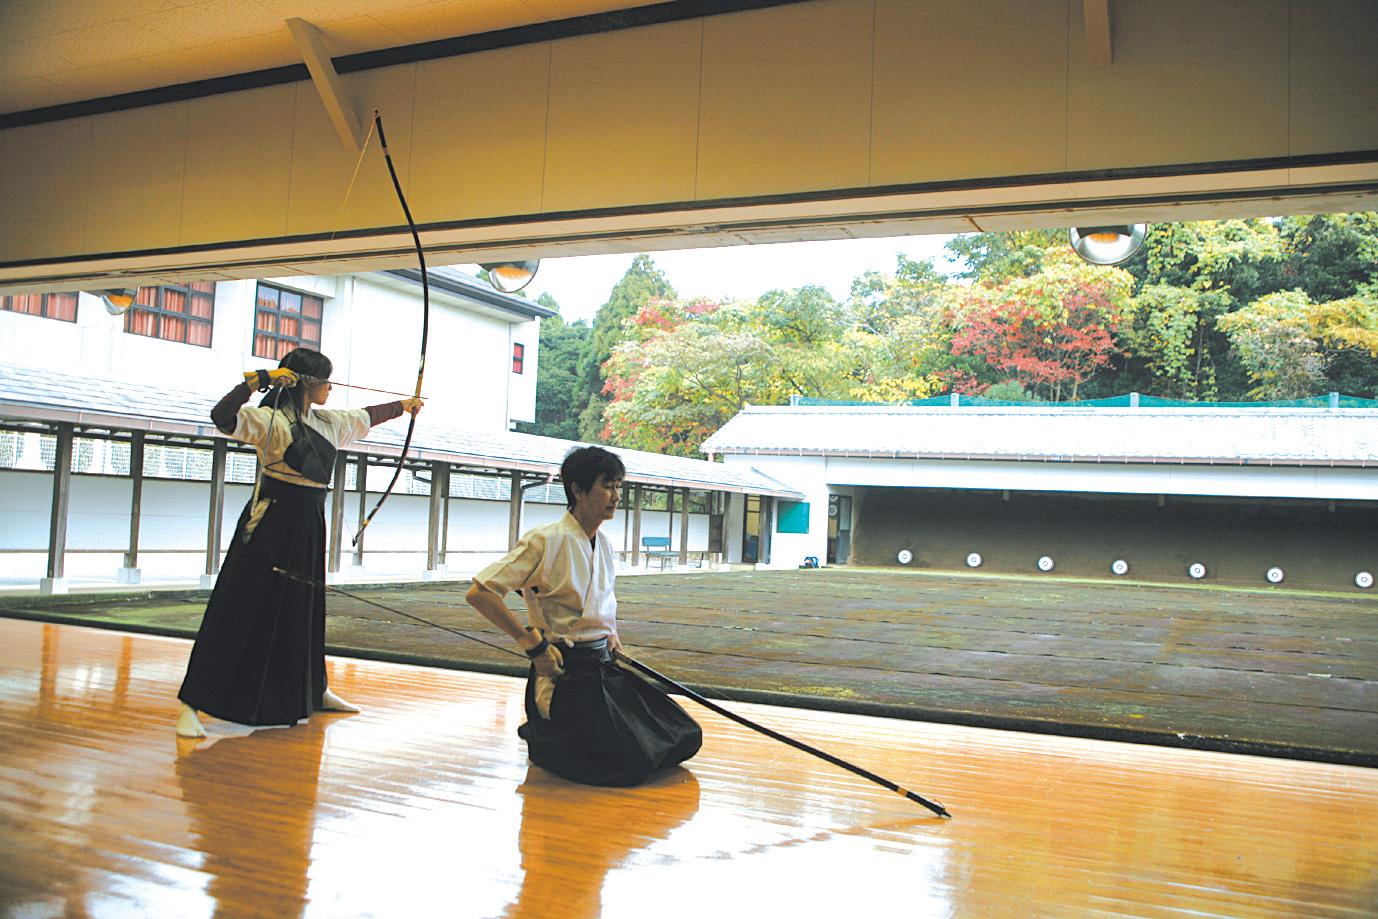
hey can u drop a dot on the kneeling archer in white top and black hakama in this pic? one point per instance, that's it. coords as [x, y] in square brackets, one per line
[588, 720]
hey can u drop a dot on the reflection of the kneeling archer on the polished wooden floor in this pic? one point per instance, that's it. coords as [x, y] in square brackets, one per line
[573, 836]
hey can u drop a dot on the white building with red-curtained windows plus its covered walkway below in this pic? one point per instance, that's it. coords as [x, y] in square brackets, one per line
[103, 391]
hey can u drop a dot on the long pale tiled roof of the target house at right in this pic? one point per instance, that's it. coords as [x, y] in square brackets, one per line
[1253, 436]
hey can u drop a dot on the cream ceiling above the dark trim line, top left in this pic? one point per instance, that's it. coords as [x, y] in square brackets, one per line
[61, 52]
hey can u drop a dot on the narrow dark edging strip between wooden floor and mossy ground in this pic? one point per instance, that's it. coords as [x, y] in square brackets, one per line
[823, 703]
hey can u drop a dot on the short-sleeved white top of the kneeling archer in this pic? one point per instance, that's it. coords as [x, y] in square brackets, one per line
[574, 581]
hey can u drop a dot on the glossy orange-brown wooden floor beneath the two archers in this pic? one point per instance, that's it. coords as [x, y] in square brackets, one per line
[425, 805]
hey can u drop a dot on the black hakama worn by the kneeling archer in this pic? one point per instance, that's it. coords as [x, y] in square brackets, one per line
[607, 727]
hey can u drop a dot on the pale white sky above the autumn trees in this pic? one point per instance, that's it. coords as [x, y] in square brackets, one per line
[582, 285]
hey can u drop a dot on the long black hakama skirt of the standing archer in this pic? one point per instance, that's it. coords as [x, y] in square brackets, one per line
[260, 658]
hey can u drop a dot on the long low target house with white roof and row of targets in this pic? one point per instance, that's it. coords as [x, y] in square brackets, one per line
[1036, 488]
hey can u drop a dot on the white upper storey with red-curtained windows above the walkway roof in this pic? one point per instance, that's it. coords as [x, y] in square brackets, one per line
[483, 349]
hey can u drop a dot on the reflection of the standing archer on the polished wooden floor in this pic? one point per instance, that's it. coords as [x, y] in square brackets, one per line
[253, 827]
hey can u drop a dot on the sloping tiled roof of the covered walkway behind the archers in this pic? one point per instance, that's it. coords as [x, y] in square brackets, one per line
[39, 395]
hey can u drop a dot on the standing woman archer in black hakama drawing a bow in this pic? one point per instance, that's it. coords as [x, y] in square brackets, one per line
[260, 658]
